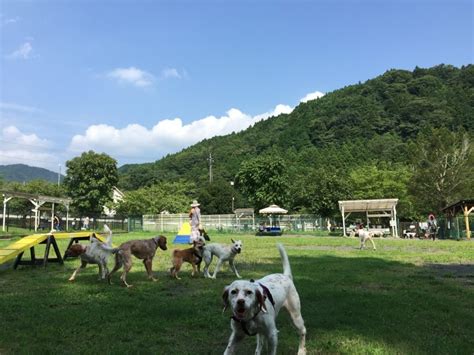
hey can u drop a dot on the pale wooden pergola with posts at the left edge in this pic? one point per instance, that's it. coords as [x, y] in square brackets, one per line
[37, 201]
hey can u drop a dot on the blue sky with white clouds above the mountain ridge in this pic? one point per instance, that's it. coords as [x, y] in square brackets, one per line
[140, 79]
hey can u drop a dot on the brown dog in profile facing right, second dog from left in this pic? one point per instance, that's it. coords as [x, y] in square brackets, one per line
[142, 249]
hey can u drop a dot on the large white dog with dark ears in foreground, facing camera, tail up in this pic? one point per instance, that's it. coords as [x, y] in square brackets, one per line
[255, 305]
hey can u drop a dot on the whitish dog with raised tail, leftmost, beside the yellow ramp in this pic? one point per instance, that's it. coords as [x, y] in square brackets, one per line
[95, 252]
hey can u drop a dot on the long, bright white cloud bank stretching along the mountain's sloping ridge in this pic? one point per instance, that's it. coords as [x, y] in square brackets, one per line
[167, 136]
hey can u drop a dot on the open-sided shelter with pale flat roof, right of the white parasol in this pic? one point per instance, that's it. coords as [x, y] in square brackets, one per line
[372, 208]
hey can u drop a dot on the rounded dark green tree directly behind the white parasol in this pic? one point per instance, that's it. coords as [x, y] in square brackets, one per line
[263, 180]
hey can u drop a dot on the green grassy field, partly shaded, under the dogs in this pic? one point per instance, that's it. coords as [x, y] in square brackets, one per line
[408, 297]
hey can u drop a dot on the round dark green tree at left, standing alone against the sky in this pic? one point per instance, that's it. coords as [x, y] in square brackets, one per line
[89, 181]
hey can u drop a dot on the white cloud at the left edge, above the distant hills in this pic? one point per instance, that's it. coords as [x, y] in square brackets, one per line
[17, 147]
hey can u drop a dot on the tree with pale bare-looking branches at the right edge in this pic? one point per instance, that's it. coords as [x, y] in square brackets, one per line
[443, 164]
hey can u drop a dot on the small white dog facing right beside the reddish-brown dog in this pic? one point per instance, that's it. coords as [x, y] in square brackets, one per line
[224, 253]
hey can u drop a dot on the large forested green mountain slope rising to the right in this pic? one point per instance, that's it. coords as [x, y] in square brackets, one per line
[371, 122]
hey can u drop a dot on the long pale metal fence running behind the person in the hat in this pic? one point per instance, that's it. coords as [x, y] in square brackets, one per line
[234, 223]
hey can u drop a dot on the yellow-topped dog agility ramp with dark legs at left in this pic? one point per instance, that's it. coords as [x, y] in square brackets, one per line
[17, 249]
